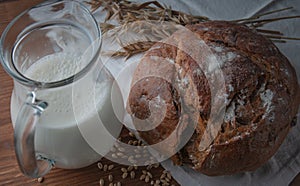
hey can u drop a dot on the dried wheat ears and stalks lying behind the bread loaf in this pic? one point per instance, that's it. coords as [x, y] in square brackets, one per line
[126, 12]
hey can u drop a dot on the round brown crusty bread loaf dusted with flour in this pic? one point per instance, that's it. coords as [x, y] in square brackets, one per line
[261, 97]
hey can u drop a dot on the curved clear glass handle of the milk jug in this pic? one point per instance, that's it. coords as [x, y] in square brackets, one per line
[30, 164]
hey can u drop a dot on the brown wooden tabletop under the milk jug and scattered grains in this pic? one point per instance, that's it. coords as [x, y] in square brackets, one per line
[9, 171]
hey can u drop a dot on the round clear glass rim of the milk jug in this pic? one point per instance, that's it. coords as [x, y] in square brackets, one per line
[16, 75]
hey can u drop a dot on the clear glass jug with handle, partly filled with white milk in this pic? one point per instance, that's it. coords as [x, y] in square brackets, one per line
[62, 92]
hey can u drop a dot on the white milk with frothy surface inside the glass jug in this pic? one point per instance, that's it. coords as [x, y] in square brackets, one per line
[71, 107]
